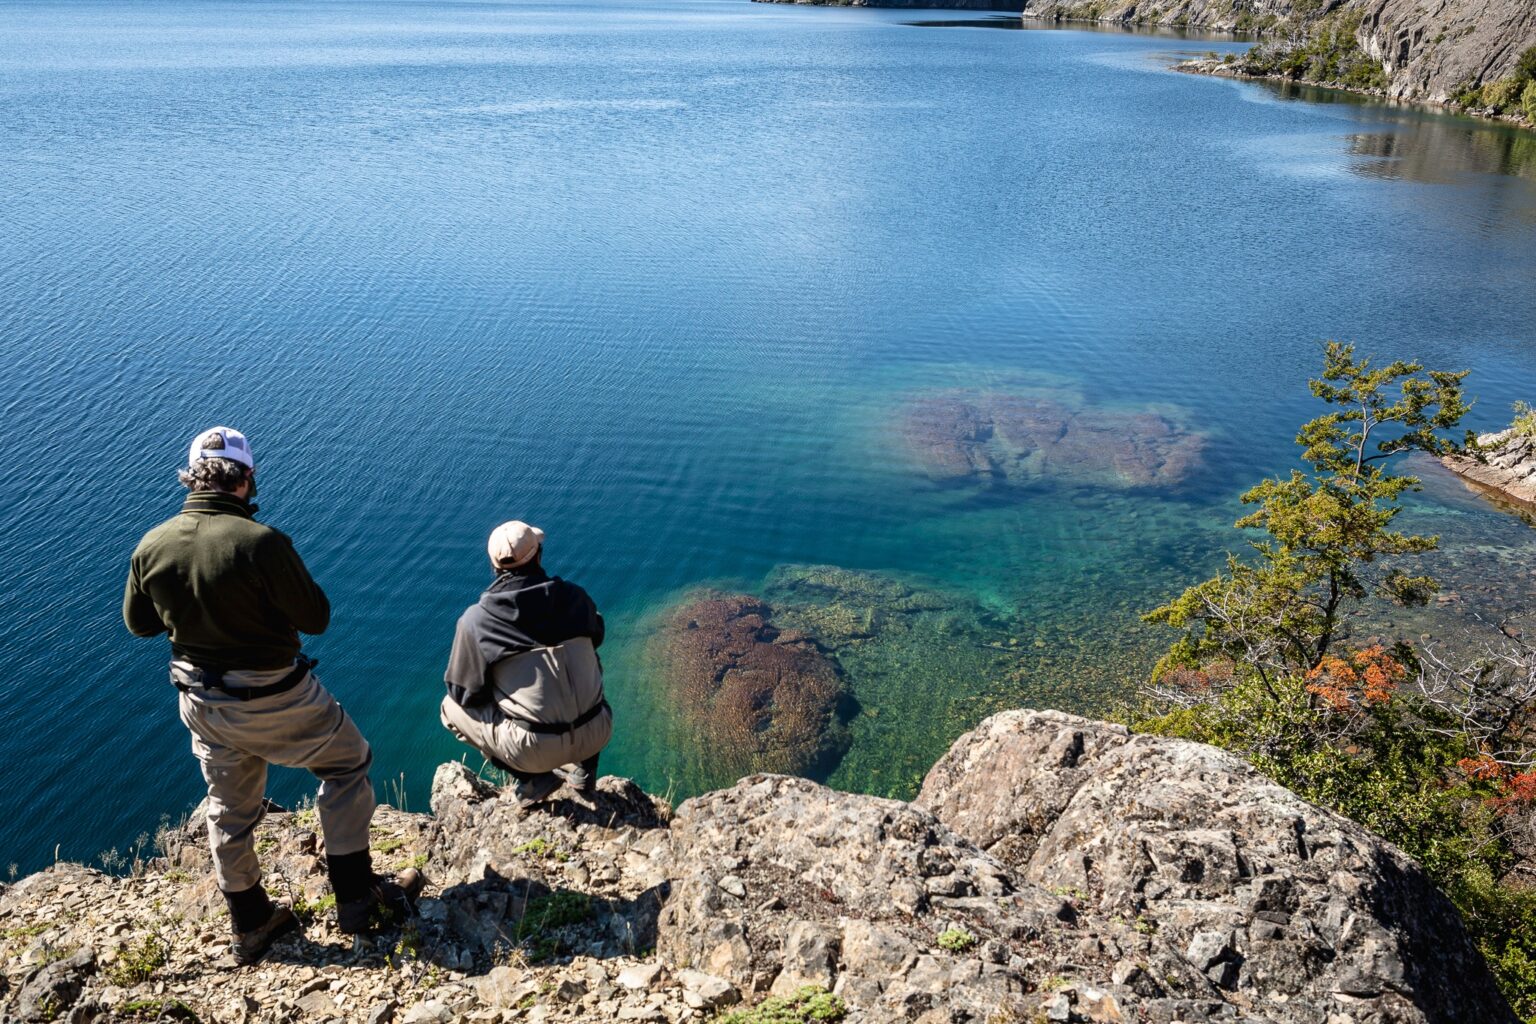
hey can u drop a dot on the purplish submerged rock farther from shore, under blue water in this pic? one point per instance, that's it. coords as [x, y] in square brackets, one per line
[965, 437]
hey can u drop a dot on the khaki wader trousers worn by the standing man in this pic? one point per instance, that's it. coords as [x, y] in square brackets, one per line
[234, 742]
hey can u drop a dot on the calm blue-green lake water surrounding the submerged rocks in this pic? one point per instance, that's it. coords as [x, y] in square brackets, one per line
[663, 277]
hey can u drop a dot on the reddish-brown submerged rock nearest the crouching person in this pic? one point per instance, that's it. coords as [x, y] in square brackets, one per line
[758, 698]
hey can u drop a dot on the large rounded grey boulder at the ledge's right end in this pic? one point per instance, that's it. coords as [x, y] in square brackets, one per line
[1260, 891]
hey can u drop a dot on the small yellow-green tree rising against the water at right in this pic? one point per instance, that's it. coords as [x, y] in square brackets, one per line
[1328, 532]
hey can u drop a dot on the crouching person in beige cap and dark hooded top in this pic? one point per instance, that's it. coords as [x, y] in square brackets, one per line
[525, 679]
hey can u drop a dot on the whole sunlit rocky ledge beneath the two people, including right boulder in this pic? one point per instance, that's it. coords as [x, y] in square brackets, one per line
[1053, 870]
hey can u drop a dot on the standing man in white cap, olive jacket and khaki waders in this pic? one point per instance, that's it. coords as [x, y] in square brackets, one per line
[234, 596]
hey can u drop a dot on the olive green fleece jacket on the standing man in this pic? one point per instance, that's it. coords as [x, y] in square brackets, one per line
[233, 593]
